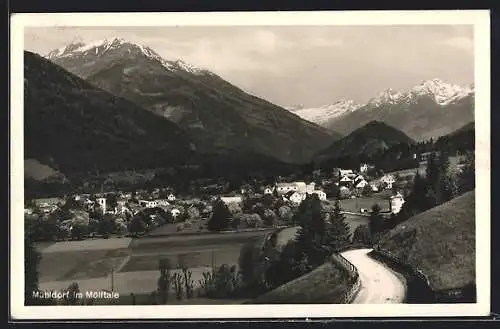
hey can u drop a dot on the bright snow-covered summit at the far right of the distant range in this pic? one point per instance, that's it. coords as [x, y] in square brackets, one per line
[443, 93]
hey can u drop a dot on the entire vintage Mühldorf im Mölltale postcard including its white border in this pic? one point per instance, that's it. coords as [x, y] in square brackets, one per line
[250, 164]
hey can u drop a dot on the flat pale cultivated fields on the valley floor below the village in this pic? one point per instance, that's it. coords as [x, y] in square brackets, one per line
[90, 263]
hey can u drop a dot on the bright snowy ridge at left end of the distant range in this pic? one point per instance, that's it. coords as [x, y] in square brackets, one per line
[325, 113]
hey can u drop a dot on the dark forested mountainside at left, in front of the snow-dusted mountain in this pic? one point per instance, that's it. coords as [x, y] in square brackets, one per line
[75, 126]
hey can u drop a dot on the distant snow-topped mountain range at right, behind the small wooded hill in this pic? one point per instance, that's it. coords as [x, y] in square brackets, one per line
[431, 109]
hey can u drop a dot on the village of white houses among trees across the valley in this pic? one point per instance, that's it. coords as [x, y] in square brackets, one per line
[161, 211]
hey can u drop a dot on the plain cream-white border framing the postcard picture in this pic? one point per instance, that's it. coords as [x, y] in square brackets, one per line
[479, 18]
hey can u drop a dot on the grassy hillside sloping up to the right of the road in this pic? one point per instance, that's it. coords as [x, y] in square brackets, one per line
[440, 242]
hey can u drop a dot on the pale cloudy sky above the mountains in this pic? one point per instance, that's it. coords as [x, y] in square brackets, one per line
[299, 65]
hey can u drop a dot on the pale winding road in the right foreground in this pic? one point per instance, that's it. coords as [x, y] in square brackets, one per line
[379, 284]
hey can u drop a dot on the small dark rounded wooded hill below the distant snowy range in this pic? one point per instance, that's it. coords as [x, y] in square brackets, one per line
[374, 137]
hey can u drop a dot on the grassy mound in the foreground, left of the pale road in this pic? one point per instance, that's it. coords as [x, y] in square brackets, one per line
[325, 285]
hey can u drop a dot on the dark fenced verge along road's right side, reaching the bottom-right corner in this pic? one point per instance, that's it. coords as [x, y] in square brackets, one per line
[419, 290]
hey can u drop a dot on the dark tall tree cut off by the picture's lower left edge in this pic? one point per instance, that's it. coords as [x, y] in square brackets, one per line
[31, 261]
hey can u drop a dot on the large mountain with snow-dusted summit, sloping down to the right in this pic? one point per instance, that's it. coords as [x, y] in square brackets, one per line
[215, 113]
